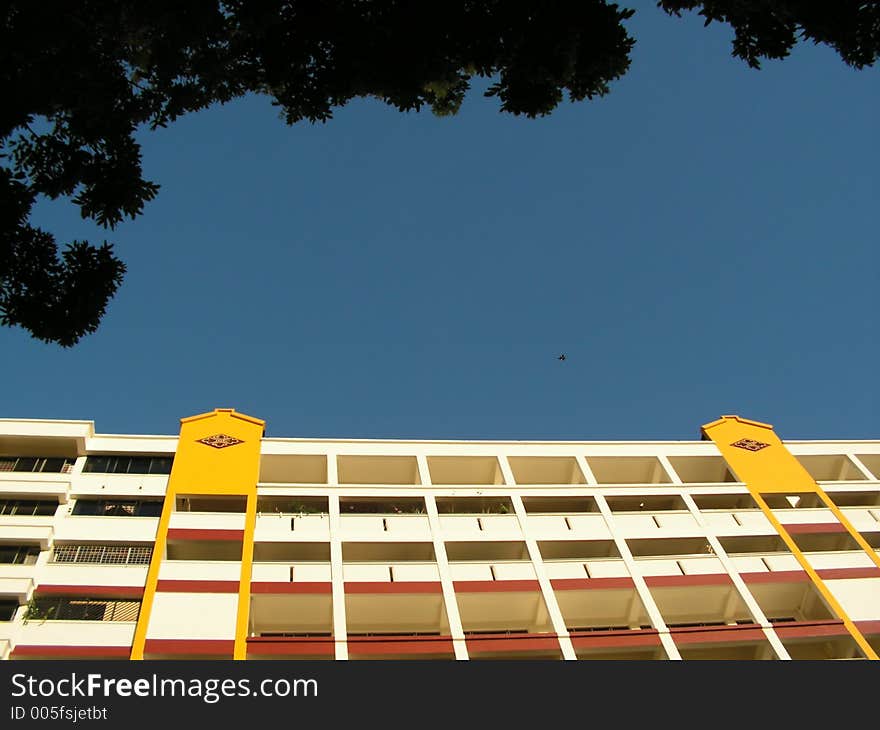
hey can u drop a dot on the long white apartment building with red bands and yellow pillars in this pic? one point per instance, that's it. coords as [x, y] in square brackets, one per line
[221, 543]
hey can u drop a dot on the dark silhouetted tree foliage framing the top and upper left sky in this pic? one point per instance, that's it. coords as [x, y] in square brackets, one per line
[79, 79]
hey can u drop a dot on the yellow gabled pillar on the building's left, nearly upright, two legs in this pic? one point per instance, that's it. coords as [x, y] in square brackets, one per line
[218, 453]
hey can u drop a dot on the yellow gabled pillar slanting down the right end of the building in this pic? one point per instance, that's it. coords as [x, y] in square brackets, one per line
[758, 458]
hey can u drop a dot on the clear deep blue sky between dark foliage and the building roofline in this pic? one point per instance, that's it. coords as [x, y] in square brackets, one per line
[702, 241]
